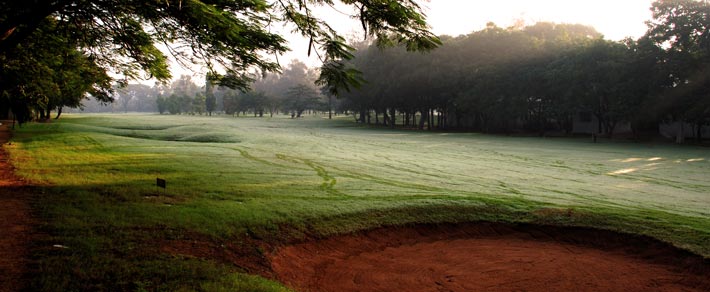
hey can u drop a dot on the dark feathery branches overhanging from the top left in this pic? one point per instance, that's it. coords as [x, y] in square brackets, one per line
[230, 38]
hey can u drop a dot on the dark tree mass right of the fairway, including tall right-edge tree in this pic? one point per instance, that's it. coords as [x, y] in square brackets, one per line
[540, 77]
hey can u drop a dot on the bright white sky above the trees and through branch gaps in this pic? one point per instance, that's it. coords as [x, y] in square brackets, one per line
[615, 19]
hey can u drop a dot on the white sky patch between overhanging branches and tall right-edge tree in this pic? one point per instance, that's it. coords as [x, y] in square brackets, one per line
[615, 19]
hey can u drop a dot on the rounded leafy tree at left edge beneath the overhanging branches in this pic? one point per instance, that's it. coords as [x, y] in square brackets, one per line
[47, 72]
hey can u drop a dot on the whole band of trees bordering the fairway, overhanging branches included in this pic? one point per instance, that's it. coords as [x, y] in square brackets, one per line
[535, 78]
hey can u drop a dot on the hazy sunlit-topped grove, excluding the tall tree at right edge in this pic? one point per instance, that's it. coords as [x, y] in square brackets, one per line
[487, 80]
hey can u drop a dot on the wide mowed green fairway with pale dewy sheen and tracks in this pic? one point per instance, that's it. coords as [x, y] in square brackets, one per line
[281, 178]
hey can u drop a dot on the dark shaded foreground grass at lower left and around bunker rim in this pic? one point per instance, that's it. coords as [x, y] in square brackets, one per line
[116, 237]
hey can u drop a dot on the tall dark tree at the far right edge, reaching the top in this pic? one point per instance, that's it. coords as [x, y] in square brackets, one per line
[681, 29]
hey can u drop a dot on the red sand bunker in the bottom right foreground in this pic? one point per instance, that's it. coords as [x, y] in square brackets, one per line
[489, 257]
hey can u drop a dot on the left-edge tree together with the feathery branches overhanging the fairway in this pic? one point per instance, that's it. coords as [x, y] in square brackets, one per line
[54, 54]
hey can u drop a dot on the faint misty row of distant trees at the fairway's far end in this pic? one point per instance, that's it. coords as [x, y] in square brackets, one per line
[293, 91]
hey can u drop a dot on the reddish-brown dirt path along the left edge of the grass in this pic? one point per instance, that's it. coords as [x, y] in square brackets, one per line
[15, 221]
